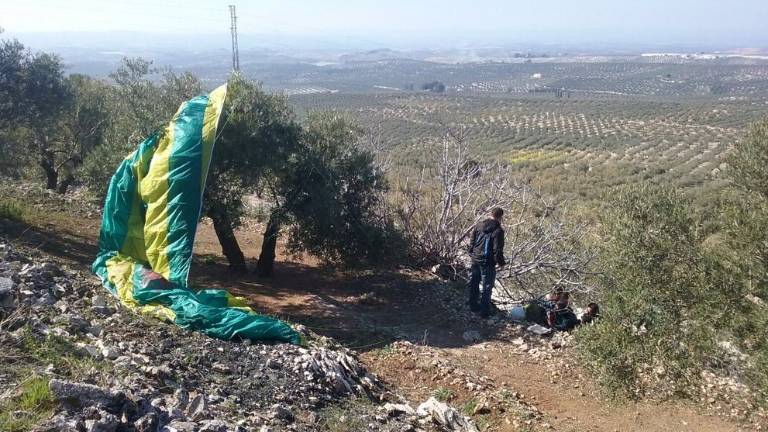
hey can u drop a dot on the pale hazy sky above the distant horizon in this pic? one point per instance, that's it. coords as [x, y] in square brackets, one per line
[739, 21]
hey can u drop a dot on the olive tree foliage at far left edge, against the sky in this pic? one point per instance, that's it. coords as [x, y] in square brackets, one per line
[48, 120]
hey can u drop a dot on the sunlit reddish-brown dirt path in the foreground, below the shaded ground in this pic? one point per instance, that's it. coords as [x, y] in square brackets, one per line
[550, 385]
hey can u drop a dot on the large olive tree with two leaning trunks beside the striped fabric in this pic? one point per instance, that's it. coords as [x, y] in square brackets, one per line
[316, 180]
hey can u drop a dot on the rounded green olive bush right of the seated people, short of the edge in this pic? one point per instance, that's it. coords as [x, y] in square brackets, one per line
[668, 299]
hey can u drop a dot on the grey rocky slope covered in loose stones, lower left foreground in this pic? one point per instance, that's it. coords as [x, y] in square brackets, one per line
[108, 369]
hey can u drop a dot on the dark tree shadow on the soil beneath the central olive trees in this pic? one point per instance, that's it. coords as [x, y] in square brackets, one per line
[364, 310]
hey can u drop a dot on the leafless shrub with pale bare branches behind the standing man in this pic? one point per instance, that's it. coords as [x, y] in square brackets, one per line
[438, 213]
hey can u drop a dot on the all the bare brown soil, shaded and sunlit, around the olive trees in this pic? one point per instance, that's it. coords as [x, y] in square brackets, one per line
[368, 310]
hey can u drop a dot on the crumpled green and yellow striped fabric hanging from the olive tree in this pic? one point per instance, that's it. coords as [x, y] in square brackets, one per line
[148, 230]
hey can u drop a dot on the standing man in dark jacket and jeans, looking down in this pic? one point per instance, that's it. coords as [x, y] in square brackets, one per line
[486, 248]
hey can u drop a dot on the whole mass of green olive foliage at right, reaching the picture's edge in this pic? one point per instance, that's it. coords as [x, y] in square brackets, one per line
[687, 288]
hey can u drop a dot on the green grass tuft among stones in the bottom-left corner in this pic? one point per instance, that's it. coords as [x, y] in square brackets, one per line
[33, 404]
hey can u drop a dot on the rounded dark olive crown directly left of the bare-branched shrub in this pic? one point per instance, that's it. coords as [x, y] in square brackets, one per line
[334, 194]
